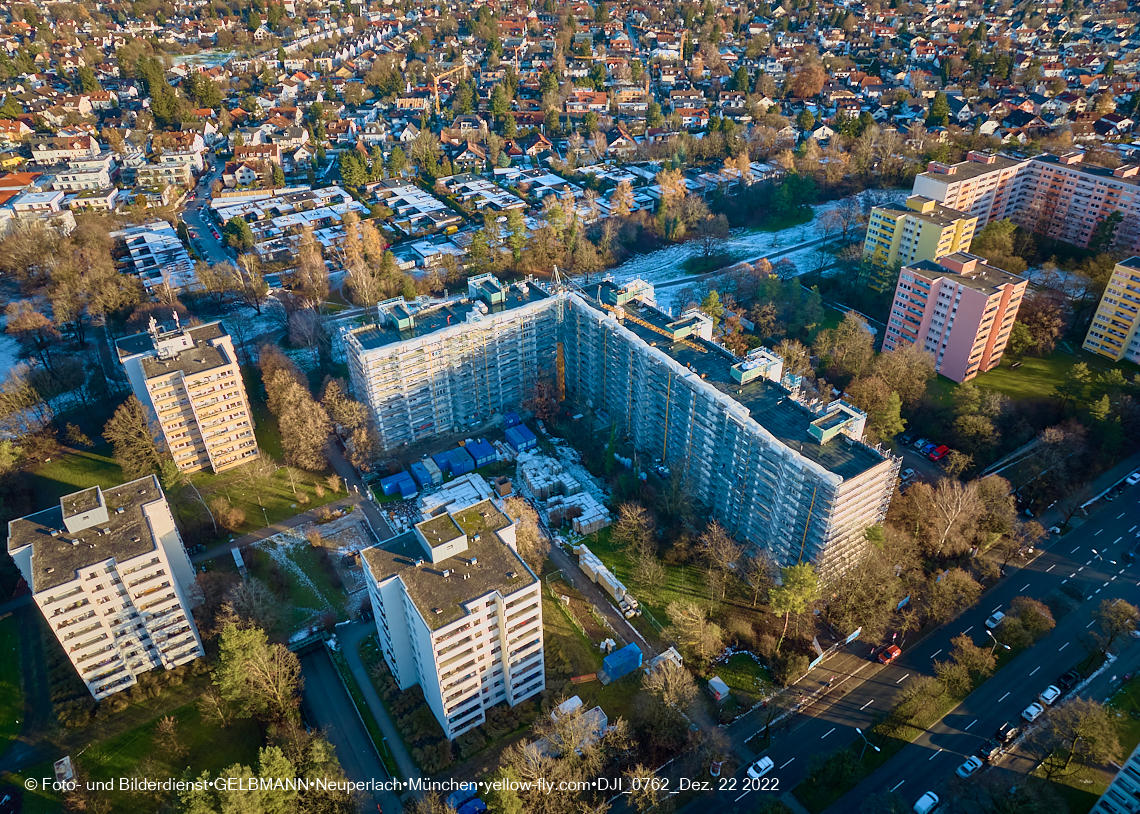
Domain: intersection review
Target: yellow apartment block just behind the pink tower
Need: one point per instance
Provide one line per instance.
(921, 231)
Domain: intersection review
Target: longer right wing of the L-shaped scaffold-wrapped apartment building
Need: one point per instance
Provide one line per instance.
(787, 474)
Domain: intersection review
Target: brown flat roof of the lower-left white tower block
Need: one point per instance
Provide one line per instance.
(56, 558)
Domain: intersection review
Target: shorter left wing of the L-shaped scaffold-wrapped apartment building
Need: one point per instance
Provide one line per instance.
(436, 368)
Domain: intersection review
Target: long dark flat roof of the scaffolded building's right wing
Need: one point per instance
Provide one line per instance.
(769, 404)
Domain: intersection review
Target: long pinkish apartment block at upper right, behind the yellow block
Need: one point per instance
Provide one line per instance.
(1055, 196)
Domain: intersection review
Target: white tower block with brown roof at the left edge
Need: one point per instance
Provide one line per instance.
(109, 572)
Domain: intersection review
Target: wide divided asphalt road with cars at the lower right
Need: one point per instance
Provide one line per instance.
(830, 725)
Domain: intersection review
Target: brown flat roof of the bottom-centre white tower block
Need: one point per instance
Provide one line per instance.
(442, 600)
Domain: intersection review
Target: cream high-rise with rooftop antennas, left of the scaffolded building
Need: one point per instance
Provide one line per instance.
(191, 382)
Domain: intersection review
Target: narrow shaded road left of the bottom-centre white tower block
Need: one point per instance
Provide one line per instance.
(329, 707)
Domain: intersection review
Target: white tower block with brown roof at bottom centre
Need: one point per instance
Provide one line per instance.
(460, 614)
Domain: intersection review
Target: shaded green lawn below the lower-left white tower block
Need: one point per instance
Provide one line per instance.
(137, 753)
